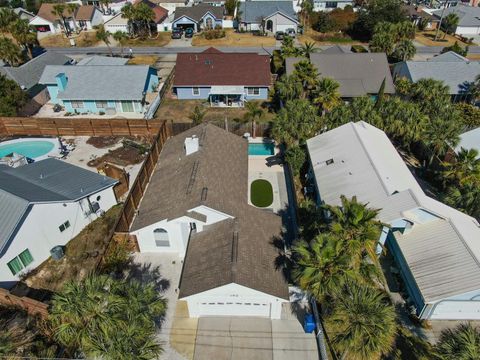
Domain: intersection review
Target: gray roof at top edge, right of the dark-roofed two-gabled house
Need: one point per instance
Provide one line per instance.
(253, 11)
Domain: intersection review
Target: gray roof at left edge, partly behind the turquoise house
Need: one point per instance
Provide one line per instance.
(28, 74)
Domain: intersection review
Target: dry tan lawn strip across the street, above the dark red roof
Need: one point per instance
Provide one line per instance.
(234, 39)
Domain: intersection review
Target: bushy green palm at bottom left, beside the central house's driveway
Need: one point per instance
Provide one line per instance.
(106, 318)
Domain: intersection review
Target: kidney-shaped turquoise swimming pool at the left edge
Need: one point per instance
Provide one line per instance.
(32, 148)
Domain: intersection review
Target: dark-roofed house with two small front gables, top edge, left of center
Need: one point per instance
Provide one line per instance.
(198, 17)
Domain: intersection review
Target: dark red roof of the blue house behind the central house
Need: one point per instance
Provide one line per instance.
(213, 67)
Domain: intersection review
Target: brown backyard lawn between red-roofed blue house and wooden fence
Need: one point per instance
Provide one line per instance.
(179, 110)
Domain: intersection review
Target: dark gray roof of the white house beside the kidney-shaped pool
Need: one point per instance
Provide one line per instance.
(44, 181)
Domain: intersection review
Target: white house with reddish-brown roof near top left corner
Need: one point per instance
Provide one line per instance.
(84, 18)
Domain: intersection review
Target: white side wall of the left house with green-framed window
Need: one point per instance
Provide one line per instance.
(40, 232)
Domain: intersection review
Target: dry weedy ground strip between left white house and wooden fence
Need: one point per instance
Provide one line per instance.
(82, 254)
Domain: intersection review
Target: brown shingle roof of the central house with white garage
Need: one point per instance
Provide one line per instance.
(231, 251)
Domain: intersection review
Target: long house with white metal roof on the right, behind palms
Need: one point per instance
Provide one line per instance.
(435, 247)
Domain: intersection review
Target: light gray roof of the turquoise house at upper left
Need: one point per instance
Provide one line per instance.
(87, 82)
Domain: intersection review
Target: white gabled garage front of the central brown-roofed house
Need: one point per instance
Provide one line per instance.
(233, 293)
